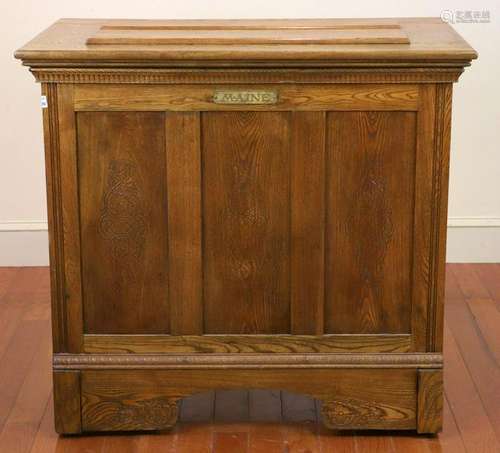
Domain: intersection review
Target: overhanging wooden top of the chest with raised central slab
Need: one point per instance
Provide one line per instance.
(271, 42)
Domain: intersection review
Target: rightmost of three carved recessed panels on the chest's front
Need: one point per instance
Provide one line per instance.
(370, 205)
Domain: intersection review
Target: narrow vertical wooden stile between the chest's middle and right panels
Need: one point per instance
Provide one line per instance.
(307, 155)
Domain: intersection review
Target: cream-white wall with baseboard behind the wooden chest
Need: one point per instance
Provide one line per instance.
(474, 224)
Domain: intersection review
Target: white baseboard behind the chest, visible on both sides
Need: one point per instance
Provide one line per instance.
(470, 240)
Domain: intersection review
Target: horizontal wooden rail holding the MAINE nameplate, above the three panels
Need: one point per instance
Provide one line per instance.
(94, 97)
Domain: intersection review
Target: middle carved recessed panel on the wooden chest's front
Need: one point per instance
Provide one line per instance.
(246, 222)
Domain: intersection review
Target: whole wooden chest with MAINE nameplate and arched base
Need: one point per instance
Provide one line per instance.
(247, 204)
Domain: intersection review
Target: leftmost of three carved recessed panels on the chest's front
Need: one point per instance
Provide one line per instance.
(123, 210)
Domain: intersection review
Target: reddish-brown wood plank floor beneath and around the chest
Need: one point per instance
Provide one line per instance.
(256, 421)
